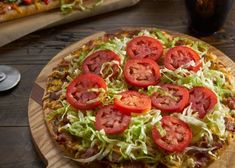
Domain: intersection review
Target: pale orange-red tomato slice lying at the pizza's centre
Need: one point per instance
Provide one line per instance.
(133, 102)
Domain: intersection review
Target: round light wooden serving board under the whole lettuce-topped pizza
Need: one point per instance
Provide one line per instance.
(44, 144)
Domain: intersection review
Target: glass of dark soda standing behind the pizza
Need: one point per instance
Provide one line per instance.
(207, 16)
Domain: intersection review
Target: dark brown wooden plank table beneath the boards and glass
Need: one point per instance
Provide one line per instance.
(30, 53)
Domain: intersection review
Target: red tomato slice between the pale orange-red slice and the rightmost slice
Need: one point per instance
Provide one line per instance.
(171, 98)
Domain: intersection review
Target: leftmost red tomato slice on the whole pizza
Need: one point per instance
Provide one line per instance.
(78, 94)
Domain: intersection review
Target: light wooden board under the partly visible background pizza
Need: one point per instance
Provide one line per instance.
(12, 30)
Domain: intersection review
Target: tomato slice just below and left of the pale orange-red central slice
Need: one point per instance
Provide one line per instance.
(111, 120)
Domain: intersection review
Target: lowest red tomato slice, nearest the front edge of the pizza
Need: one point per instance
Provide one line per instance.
(178, 134)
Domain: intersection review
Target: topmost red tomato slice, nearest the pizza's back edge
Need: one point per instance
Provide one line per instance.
(144, 47)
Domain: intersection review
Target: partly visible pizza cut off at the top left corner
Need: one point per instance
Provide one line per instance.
(13, 9)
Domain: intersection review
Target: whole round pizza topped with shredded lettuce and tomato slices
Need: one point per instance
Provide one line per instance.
(141, 98)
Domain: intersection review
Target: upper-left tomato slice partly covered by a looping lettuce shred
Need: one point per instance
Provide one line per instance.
(94, 62)
